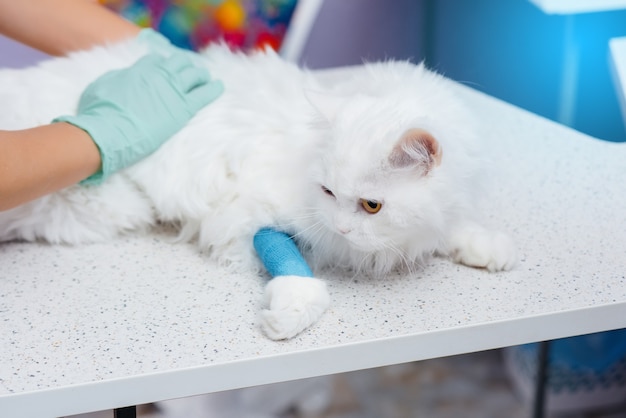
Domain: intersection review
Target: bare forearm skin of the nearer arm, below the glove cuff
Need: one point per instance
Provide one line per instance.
(38, 161)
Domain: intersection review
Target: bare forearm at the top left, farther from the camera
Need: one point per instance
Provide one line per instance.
(57, 27)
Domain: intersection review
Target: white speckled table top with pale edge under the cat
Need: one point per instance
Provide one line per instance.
(142, 319)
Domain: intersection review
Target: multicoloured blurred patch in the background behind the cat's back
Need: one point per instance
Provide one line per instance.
(192, 24)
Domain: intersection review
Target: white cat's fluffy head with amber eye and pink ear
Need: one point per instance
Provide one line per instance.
(385, 179)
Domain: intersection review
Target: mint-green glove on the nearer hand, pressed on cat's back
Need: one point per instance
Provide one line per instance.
(129, 113)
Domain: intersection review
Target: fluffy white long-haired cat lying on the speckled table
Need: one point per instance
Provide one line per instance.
(372, 175)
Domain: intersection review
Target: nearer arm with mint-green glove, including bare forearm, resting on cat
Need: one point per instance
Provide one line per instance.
(117, 124)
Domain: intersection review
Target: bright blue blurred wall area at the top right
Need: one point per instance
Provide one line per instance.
(554, 65)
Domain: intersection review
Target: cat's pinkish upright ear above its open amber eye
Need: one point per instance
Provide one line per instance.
(417, 148)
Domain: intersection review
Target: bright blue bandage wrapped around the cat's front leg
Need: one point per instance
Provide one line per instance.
(279, 254)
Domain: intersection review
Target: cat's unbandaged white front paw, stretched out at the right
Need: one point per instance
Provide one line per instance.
(479, 247)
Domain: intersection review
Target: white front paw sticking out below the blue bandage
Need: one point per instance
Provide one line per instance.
(292, 304)
